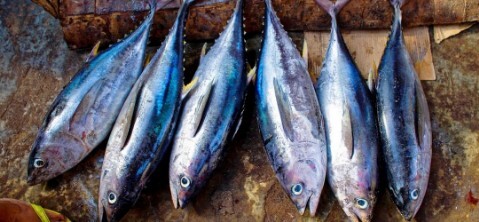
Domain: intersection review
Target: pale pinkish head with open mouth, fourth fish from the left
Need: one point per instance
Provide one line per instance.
(303, 184)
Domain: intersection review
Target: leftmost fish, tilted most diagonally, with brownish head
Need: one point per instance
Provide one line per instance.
(83, 114)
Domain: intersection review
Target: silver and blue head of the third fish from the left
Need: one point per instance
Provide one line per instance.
(189, 171)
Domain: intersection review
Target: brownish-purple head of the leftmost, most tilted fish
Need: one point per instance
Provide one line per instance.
(52, 156)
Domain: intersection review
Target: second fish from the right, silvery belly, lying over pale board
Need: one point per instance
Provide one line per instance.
(349, 113)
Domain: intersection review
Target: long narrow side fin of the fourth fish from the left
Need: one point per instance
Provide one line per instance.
(284, 110)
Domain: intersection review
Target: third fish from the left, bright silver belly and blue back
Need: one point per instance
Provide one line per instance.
(210, 112)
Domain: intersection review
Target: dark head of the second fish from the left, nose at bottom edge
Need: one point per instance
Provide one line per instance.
(114, 199)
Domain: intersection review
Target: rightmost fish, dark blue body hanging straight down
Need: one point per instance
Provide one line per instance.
(404, 122)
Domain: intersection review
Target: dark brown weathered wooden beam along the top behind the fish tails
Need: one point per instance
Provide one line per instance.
(85, 22)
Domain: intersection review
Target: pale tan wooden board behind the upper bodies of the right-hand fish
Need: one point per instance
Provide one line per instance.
(367, 47)
